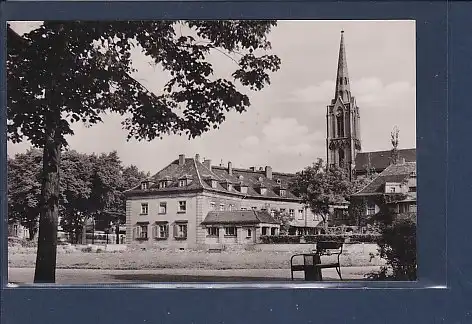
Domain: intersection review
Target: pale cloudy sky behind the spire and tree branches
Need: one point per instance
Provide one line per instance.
(285, 126)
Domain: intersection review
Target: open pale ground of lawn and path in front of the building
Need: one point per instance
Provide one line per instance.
(78, 265)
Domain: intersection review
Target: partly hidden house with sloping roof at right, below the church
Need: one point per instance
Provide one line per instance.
(397, 178)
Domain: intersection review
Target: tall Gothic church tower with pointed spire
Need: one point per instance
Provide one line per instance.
(343, 120)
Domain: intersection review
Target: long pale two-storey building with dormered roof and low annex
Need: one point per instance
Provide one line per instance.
(192, 203)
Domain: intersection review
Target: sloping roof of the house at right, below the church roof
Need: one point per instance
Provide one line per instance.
(393, 173)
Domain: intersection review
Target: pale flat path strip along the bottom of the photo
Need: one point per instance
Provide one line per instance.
(94, 276)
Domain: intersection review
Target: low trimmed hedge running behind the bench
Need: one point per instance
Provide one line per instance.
(295, 239)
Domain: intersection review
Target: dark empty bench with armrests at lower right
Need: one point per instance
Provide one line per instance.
(312, 265)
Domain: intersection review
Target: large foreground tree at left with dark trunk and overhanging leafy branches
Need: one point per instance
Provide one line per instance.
(67, 72)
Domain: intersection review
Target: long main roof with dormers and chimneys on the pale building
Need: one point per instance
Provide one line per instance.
(199, 173)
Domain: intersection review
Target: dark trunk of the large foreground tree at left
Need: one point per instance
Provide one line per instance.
(47, 241)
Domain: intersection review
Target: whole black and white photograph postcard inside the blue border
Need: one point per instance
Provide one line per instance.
(219, 151)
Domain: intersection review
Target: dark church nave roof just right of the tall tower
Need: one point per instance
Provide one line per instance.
(379, 160)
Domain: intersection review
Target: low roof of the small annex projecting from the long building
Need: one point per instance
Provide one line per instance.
(239, 217)
